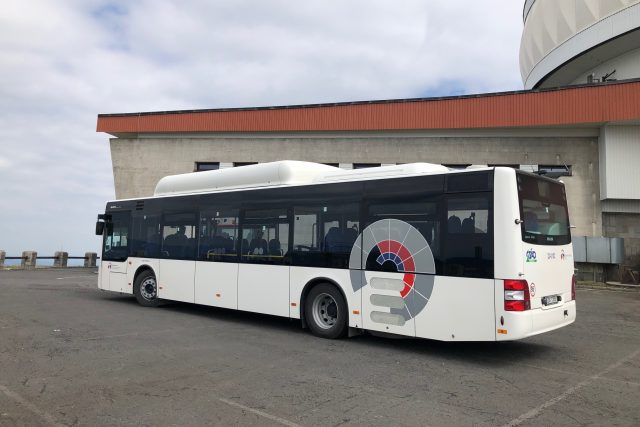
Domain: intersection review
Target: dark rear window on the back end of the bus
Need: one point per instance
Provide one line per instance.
(543, 208)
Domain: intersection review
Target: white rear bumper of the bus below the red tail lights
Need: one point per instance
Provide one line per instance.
(518, 325)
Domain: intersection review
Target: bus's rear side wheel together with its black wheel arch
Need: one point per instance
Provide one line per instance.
(318, 295)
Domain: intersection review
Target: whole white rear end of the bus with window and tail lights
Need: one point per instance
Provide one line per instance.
(535, 282)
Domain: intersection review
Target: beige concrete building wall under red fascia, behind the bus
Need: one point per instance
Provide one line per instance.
(138, 163)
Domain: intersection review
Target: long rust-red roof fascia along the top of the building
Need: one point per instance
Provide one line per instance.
(567, 106)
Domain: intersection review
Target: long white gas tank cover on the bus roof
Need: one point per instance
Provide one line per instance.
(281, 173)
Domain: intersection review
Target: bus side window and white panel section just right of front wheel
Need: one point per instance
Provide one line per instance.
(177, 257)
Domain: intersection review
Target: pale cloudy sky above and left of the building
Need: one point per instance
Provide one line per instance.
(64, 62)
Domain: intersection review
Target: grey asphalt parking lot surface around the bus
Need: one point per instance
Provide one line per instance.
(71, 354)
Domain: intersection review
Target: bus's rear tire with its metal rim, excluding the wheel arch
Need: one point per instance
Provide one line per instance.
(326, 312)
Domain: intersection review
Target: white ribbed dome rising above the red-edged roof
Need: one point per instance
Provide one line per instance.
(567, 42)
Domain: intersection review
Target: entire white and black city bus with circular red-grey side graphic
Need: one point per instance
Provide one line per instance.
(416, 250)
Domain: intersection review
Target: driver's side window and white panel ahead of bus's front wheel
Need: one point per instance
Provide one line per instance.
(115, 252)
